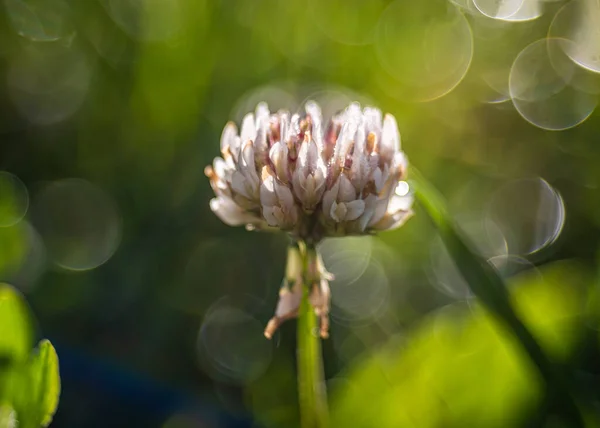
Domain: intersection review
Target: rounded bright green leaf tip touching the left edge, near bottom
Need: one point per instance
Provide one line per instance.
(15, 325)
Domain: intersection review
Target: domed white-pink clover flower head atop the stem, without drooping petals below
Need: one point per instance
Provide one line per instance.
(310, 178)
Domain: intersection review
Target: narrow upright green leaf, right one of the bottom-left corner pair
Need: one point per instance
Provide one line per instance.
(44, 378)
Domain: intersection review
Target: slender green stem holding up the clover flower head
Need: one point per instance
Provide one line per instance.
(311, 385)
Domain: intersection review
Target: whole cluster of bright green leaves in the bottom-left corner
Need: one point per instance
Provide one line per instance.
(29, 381)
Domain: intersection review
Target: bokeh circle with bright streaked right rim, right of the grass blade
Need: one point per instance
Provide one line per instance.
(529, 212)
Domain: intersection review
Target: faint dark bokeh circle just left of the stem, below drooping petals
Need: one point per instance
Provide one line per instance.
(231, 344)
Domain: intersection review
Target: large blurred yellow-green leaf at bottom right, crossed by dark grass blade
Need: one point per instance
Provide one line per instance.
(461, 367)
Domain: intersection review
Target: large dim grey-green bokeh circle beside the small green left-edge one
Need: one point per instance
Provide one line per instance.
(79, 222)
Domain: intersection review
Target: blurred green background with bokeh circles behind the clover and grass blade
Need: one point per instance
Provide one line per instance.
(109, 111)
